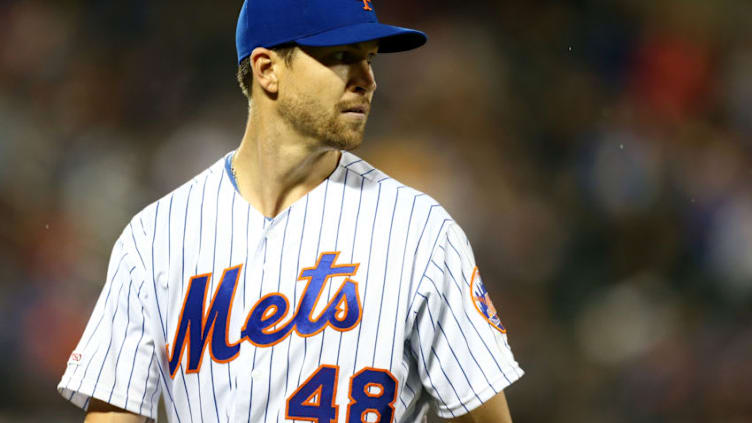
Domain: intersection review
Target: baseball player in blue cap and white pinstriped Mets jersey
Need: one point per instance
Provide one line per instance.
(291, 280)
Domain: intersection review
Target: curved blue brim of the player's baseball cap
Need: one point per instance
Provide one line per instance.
(392, 39)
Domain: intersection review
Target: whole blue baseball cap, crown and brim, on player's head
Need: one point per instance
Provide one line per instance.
(317, 23)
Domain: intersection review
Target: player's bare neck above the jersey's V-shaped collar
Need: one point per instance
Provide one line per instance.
(275, 167)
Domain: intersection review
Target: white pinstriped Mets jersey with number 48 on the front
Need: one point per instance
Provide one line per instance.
(361, 300)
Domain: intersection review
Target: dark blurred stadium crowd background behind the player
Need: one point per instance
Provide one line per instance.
(596, 152)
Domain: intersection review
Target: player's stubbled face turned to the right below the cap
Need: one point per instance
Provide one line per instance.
(326, 93)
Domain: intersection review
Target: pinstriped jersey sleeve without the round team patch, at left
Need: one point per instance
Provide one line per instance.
(116, 361)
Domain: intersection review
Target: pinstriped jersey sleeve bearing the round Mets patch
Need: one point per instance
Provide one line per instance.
(457, 338)
